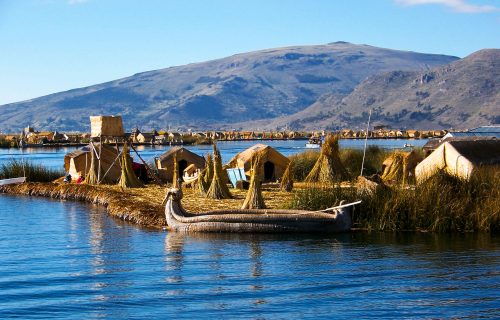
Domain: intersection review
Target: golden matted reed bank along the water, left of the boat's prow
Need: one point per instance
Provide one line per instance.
(121, 205)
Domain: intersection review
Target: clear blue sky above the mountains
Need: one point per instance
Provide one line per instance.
(49, 46)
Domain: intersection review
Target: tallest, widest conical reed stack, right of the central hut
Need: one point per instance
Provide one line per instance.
(328, 168)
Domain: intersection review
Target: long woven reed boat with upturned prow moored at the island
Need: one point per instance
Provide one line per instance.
(336, 219)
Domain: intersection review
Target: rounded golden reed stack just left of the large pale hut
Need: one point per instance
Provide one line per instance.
(400, 167)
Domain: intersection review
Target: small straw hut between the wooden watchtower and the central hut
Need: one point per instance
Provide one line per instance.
(184, 157)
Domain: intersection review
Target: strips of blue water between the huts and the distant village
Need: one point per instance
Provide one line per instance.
(54, 157)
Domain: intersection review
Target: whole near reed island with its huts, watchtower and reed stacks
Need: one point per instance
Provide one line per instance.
(452, 186)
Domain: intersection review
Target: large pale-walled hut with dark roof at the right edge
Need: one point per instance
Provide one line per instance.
(459, 158)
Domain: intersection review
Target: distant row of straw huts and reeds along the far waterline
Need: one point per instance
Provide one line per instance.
(30, 137)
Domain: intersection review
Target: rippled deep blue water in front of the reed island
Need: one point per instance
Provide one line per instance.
(70, 260)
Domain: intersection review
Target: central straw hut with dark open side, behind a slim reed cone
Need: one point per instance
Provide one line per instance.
(273, 163)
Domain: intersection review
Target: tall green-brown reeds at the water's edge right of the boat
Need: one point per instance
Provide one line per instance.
(443, 203)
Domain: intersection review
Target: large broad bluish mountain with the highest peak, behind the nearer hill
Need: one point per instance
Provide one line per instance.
(263, 84)
